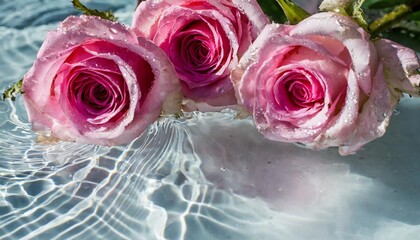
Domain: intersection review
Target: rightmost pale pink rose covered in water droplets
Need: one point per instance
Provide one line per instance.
(323, 82)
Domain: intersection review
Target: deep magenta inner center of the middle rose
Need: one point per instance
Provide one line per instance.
(199, 51)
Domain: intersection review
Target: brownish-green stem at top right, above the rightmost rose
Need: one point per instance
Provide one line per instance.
(389, 19)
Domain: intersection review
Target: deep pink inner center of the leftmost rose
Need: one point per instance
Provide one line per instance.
(94, 89)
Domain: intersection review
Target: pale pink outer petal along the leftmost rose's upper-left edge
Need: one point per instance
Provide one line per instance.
(53, 52)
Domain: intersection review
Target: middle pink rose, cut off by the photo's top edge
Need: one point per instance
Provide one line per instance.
(203, 39)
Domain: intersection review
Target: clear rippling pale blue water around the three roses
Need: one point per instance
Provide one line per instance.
(206, 177)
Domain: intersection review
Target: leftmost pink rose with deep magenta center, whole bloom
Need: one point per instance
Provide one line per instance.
(94, 82)
